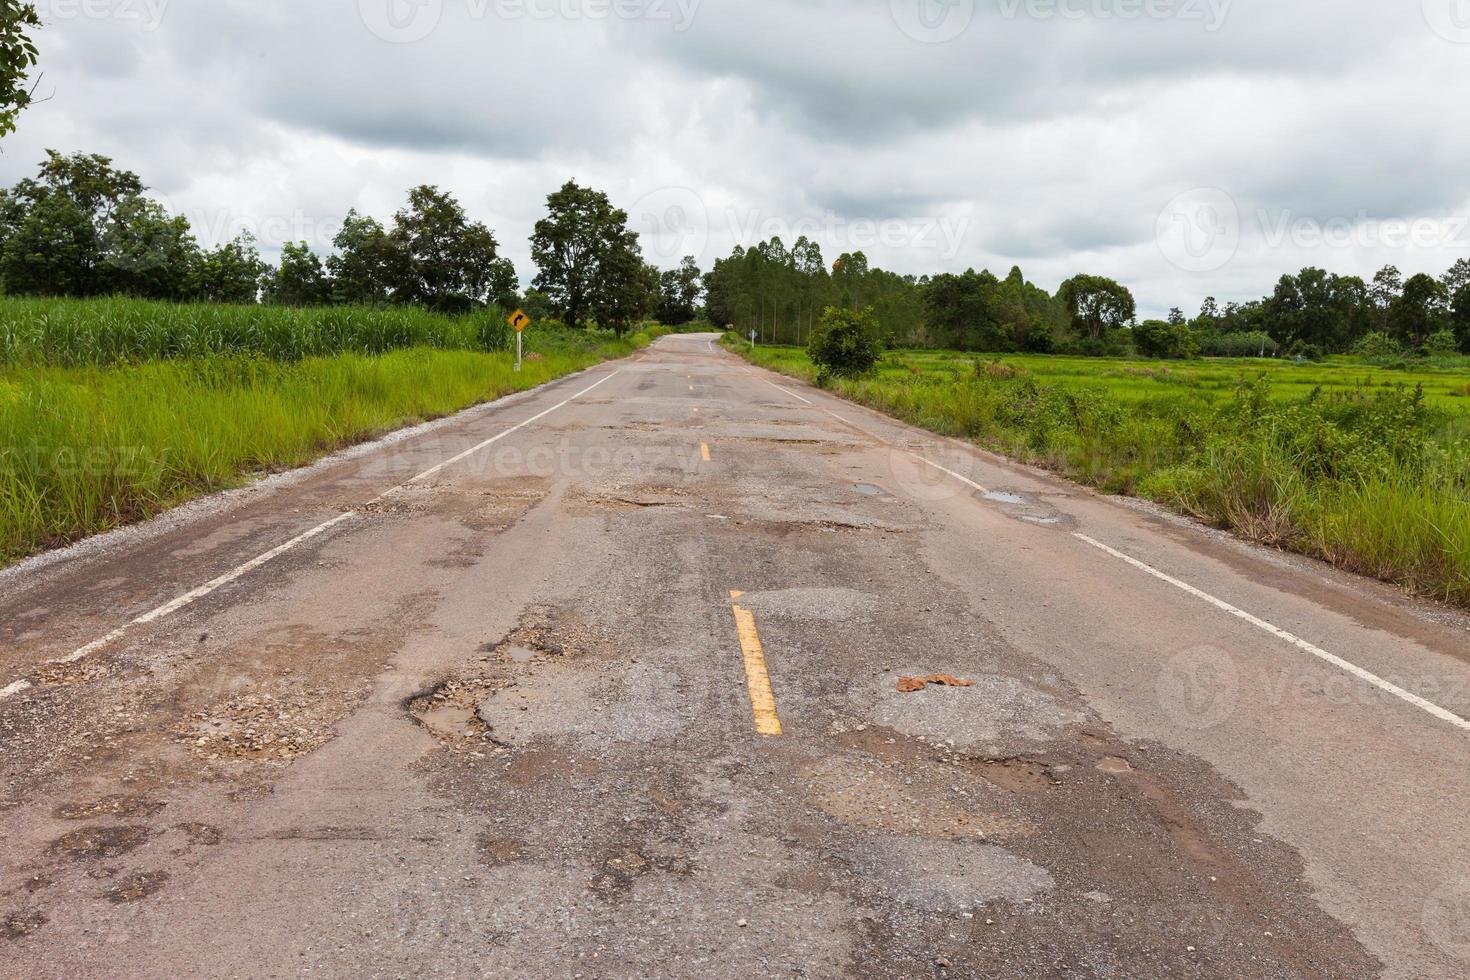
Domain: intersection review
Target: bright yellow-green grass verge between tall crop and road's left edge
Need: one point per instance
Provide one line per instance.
(89, 449)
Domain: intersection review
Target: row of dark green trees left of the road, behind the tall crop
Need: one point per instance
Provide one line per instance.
(86, 228)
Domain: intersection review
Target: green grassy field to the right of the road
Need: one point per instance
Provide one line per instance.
(1363, 466)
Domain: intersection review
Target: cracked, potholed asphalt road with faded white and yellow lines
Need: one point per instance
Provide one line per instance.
(608, 680)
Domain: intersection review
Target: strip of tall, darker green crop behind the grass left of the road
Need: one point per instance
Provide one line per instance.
(74, 333)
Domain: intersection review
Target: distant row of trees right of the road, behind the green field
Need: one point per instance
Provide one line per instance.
(780, 295)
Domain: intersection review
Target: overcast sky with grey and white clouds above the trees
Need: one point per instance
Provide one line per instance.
(1186, 148)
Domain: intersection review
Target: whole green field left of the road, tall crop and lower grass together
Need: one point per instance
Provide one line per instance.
(89, 442)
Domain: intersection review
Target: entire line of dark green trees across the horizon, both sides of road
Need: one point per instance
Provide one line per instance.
(85, 228)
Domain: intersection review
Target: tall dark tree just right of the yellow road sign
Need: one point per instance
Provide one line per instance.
(571, 245)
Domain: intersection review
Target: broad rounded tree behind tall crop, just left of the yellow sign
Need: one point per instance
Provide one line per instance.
(442, 259)
